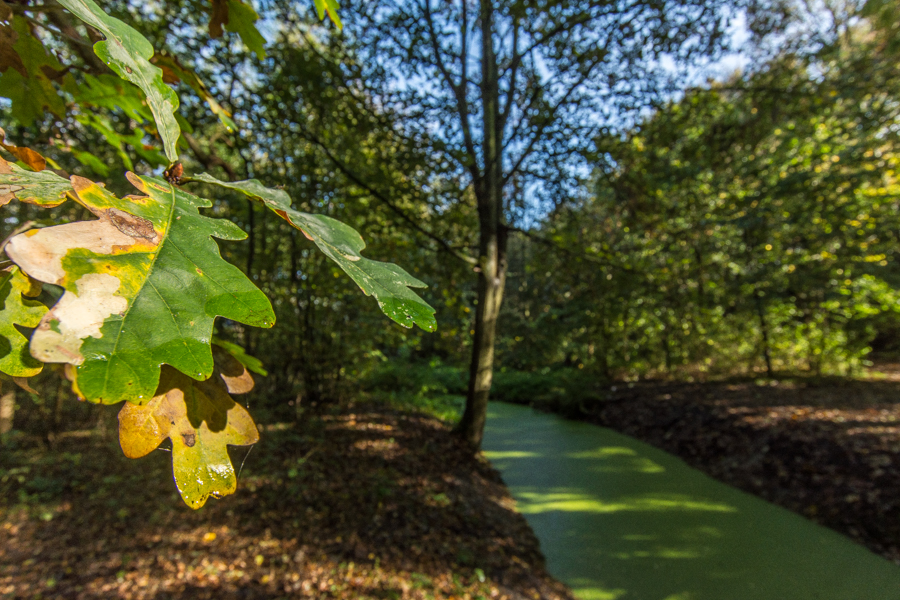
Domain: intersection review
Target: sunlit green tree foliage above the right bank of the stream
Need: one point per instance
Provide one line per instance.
(748, 226)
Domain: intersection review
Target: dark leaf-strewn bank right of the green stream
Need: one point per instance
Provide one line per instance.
(826, 448)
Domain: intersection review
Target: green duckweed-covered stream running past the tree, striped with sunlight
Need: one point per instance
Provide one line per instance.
(621, 520)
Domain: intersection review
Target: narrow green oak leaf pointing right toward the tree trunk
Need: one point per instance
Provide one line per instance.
(341, 243)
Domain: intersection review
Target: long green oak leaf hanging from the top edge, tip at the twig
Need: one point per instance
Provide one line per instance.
(127, 52)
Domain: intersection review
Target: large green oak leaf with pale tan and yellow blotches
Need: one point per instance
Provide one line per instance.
(143, 286)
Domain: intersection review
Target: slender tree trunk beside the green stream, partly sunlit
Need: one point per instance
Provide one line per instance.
(492, 260)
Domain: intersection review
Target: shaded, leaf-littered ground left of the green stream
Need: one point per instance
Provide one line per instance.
(371, 503)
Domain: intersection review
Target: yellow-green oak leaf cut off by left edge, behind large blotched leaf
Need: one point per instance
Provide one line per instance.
(18, 307)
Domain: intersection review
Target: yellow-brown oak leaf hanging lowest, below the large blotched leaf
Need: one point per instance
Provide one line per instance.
(201, 419)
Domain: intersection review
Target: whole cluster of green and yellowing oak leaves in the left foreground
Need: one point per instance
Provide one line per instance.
(134, 294)
